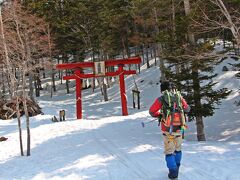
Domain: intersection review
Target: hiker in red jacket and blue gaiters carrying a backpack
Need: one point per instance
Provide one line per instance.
(170, 108)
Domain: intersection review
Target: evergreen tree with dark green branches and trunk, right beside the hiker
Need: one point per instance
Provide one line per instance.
(195, 76)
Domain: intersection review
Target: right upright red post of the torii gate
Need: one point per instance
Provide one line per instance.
(122, 91)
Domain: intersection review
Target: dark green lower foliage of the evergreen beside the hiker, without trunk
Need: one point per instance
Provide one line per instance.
(198, 86)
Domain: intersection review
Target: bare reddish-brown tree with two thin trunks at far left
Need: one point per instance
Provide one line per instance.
(24, 45)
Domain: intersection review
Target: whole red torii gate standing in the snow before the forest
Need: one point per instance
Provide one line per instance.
(78, 75)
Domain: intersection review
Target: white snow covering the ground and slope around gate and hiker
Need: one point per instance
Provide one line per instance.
(108, 146)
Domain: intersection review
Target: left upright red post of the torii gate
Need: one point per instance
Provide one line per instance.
(78, 95)
